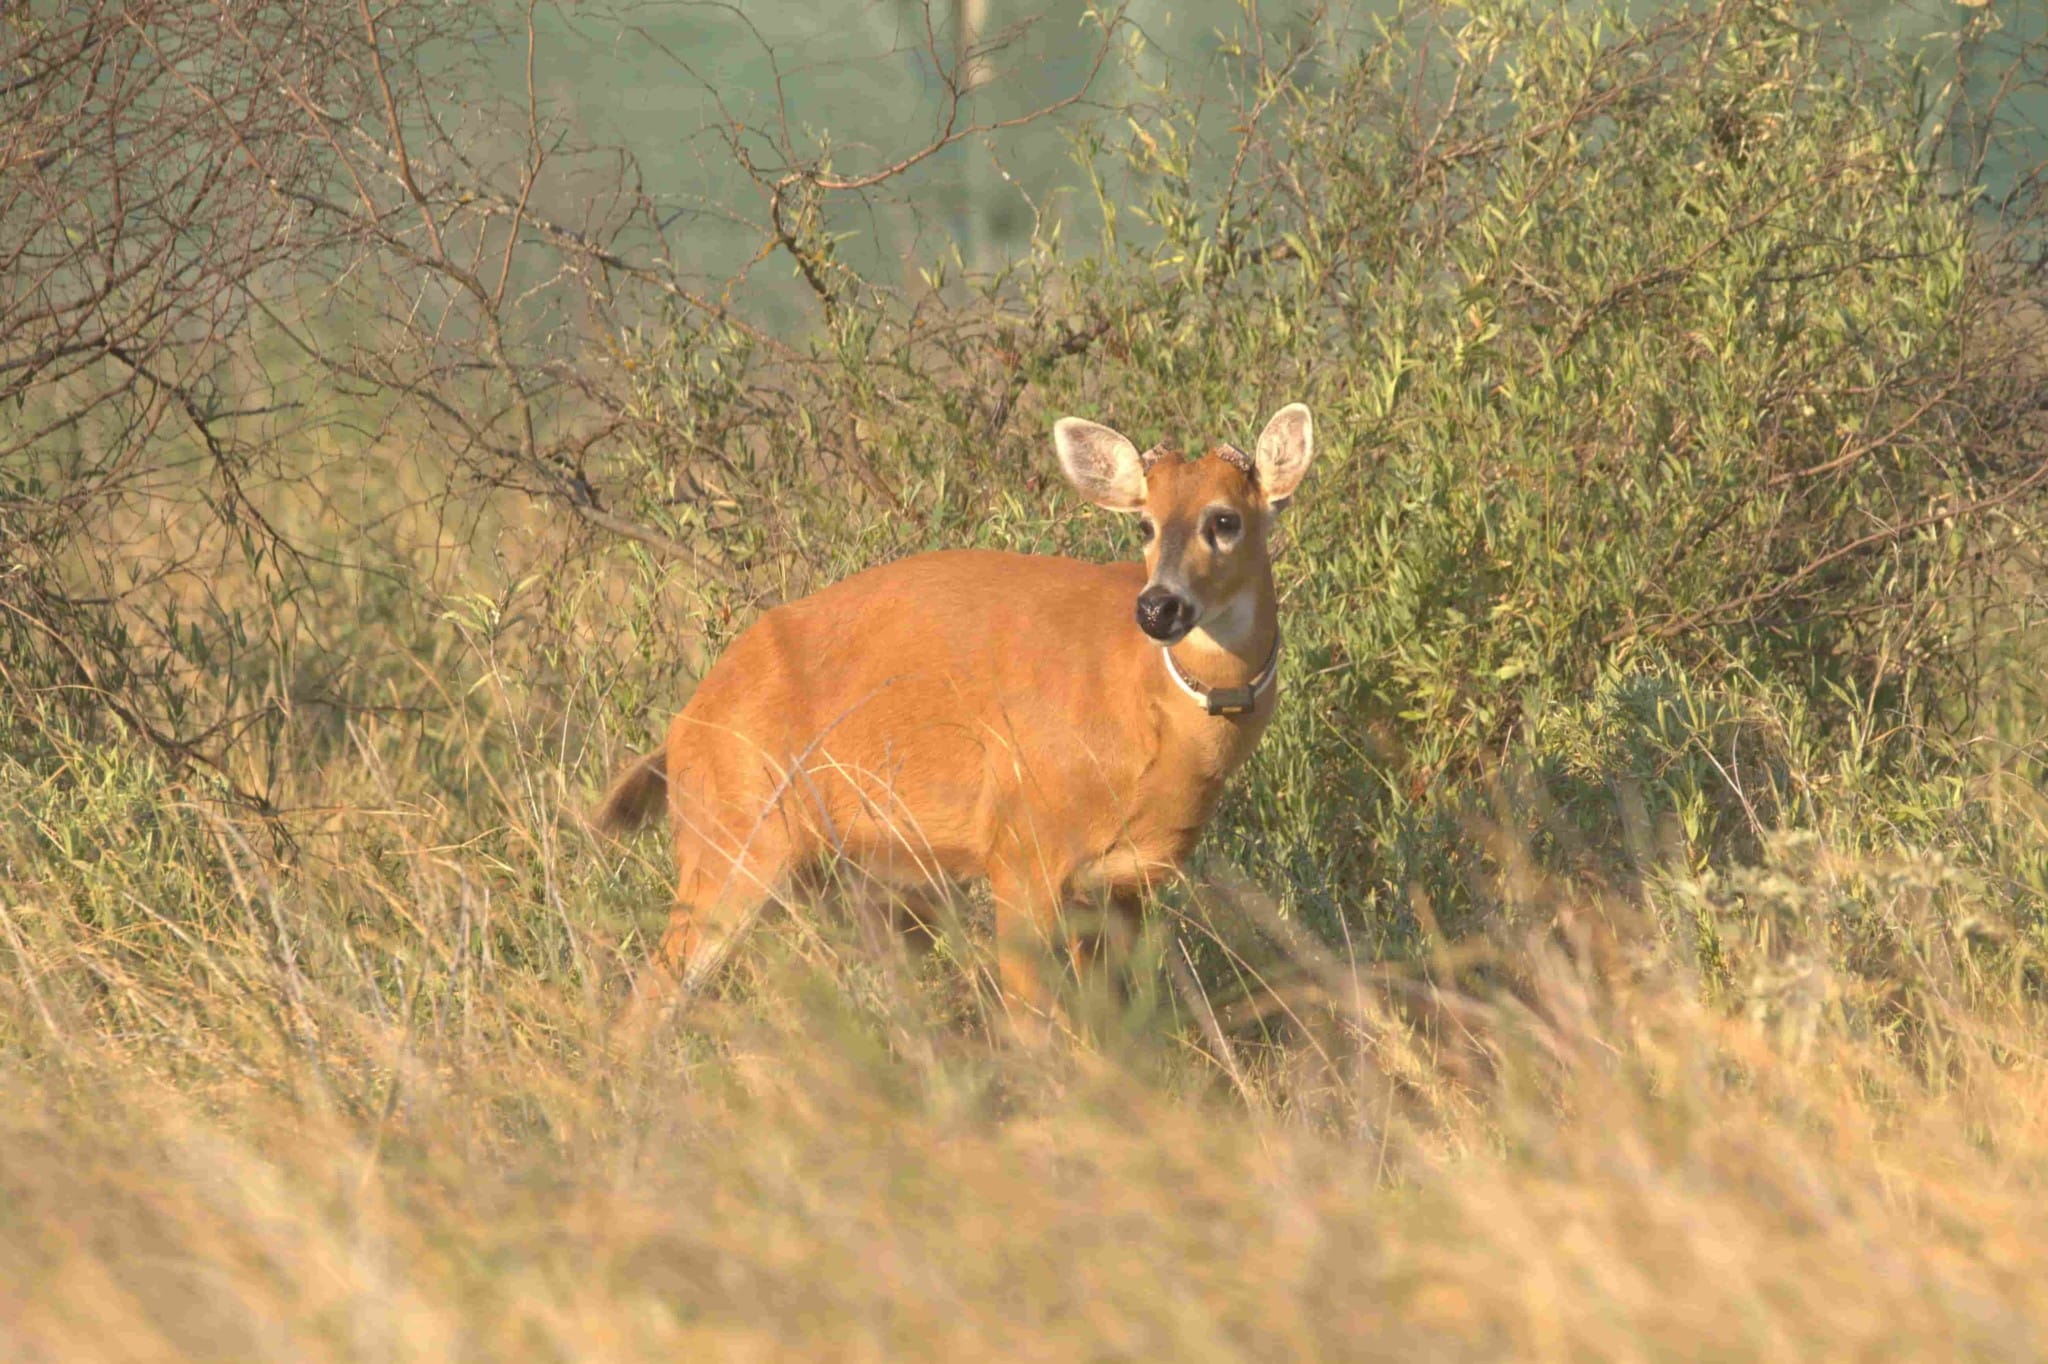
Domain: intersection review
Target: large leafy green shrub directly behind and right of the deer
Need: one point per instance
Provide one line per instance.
(1662, 396)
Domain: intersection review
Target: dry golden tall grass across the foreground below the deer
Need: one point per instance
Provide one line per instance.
(361, 1099)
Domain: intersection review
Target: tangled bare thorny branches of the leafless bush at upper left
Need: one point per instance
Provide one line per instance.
(241, 239)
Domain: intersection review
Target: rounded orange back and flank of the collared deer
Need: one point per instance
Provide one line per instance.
(941, 704)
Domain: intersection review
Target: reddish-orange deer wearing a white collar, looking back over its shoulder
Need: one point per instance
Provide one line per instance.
(1054, 726)
